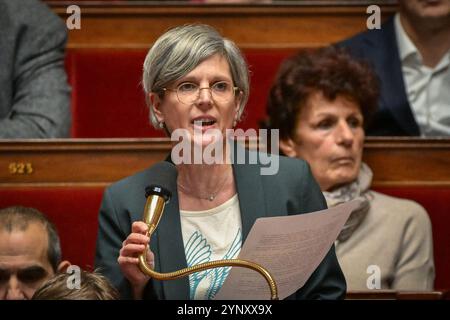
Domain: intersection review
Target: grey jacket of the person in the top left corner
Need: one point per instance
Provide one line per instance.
(34, 94)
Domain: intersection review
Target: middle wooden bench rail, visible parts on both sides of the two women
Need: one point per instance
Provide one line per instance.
(395, 161)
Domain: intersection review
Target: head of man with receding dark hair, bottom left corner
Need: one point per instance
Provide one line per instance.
(30, 252)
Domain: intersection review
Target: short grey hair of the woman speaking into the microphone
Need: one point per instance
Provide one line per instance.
(180, 50)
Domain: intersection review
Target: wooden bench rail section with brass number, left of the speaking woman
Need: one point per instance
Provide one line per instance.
(77, 161)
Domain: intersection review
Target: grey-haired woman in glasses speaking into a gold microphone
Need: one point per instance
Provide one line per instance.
(198, 82)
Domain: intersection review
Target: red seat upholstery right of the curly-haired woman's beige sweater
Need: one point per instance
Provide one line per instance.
(436, 202)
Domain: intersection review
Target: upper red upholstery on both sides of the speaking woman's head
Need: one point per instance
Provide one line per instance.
(108, 99)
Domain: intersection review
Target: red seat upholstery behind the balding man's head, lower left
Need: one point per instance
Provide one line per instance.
(74, 211)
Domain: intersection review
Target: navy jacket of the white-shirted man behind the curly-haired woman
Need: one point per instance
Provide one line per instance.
(394, 116)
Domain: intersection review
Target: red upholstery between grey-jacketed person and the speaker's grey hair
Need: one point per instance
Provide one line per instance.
(108, 100)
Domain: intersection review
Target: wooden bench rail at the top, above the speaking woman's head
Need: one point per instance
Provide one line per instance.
(138, 25)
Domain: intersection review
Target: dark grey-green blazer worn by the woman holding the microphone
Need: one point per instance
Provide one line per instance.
(292, 190)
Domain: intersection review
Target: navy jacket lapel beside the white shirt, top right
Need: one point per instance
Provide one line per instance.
(383, 50)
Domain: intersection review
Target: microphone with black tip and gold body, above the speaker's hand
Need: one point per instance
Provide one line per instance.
(159, 193)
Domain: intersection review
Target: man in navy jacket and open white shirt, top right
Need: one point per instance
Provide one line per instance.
(411, 55)
